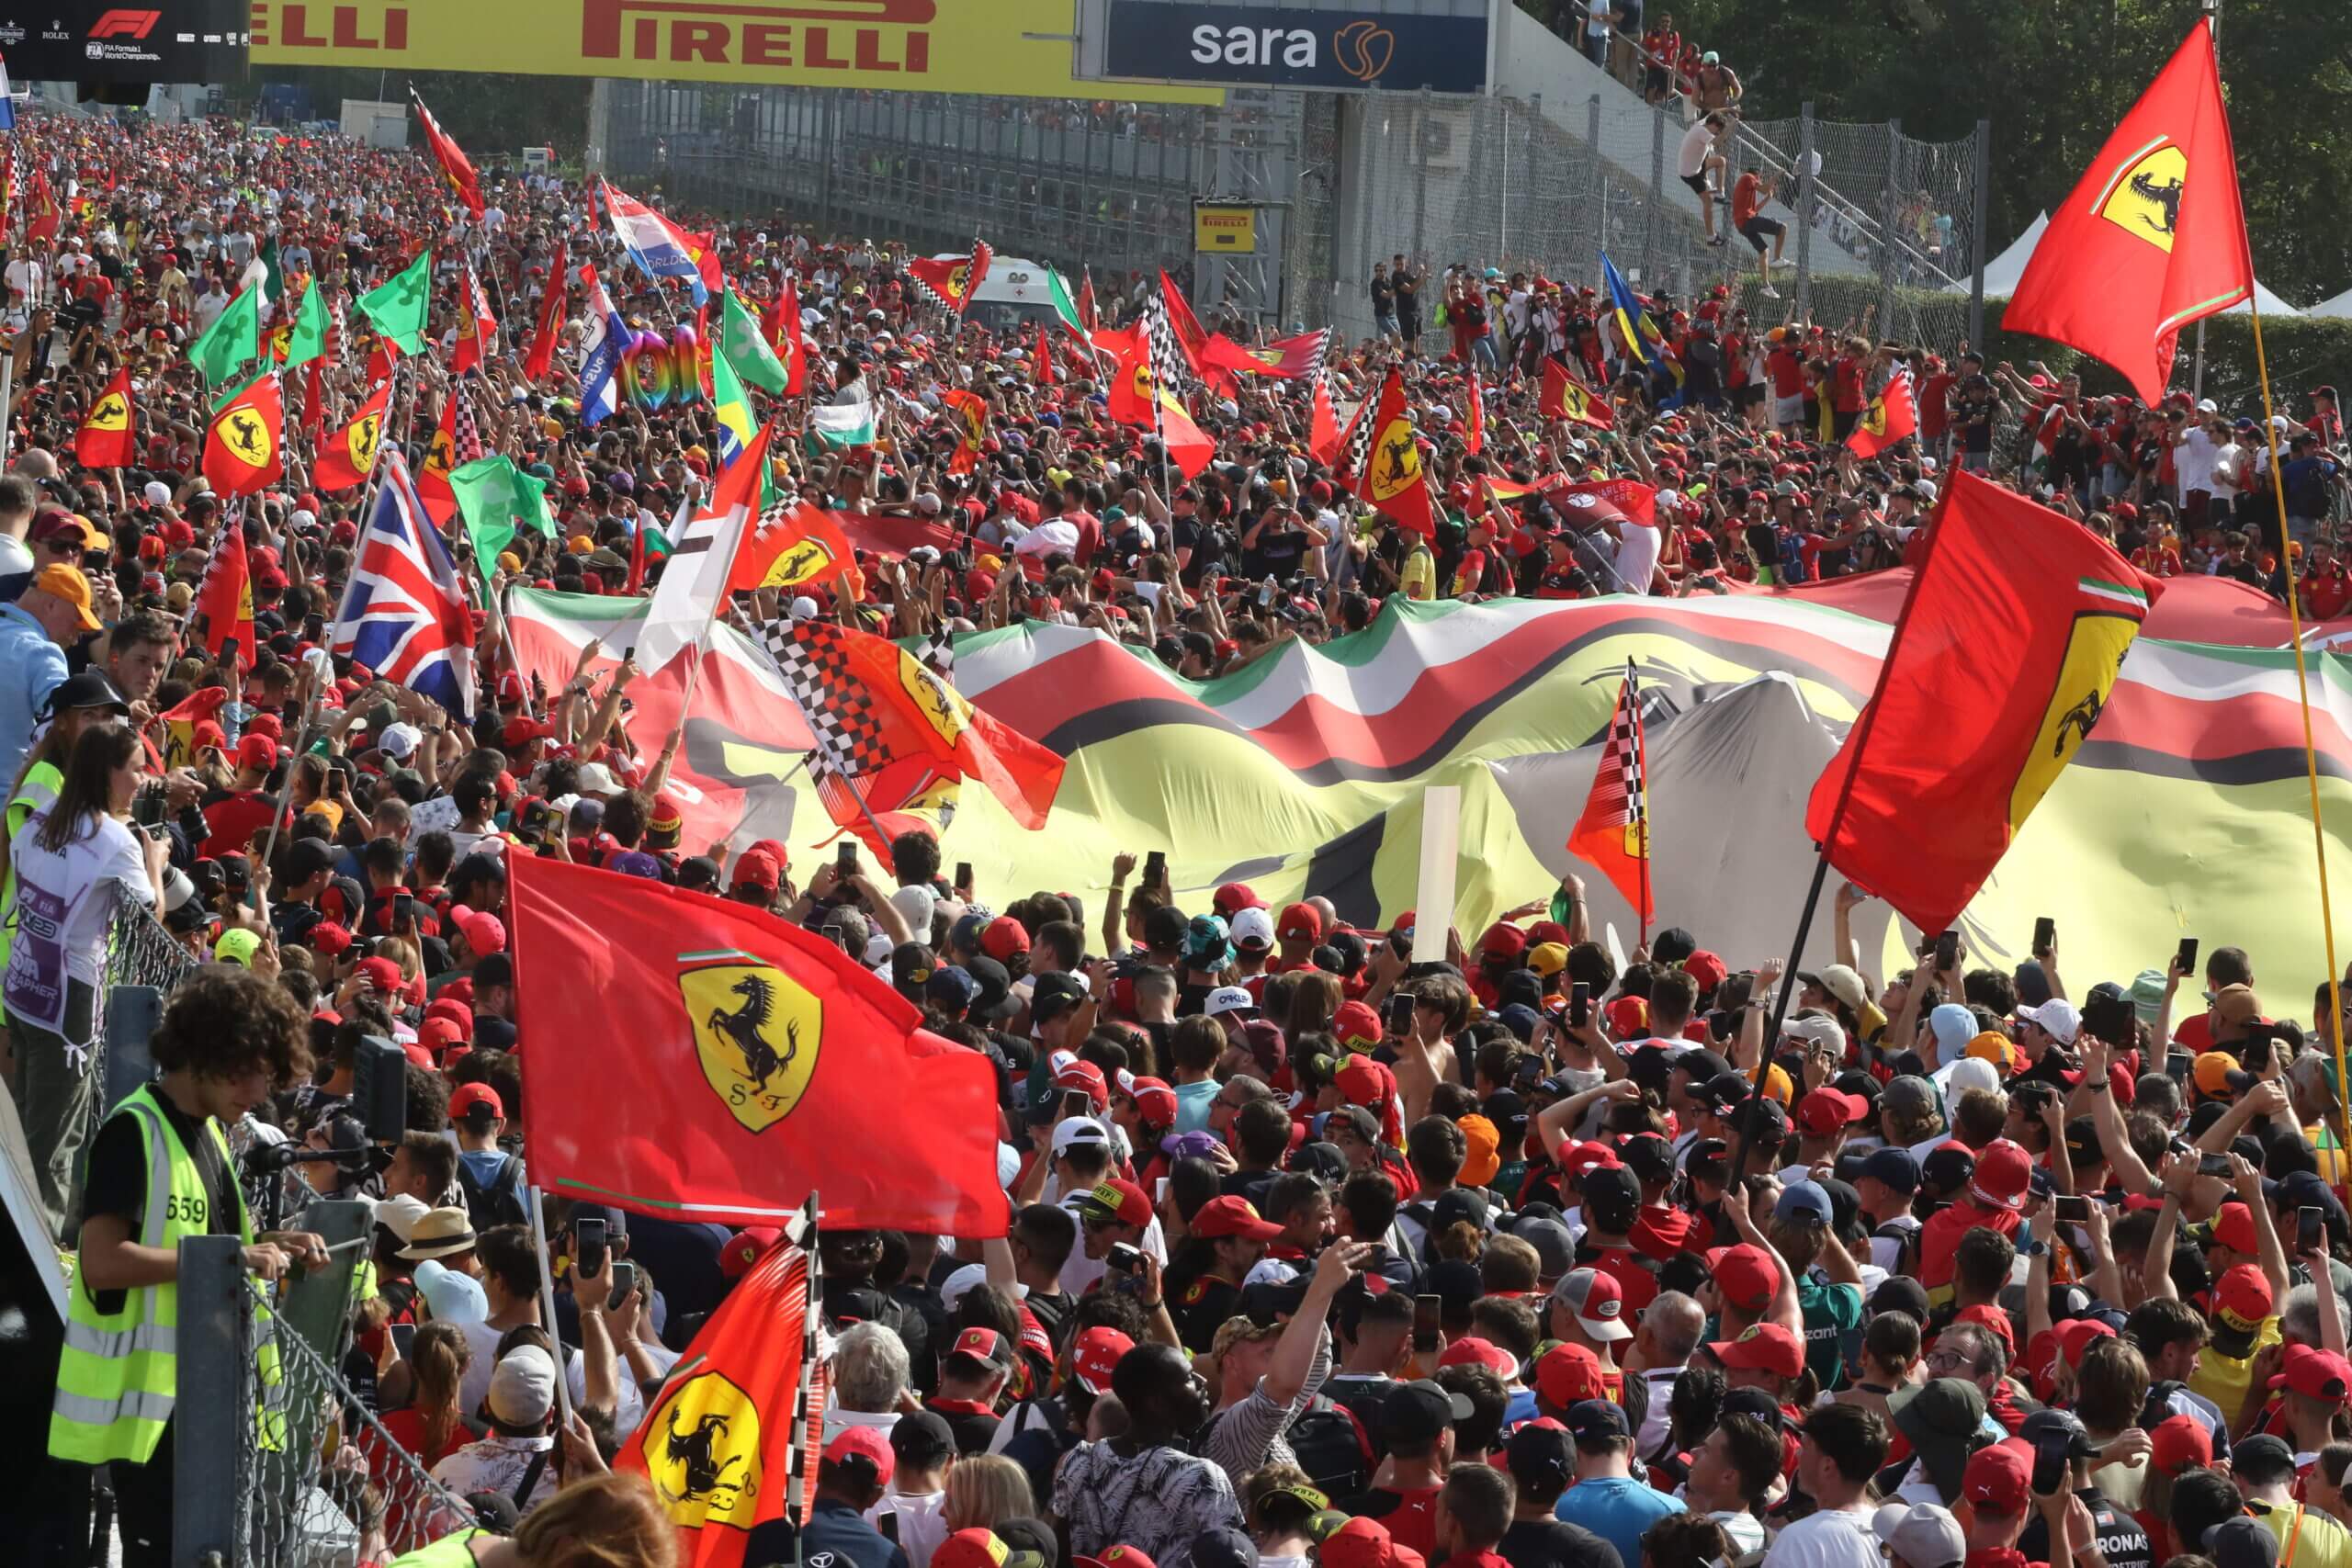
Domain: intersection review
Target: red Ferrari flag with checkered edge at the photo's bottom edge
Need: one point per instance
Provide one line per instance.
(728, 1407)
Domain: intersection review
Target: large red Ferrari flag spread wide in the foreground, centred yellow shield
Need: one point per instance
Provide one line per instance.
(733, 1064)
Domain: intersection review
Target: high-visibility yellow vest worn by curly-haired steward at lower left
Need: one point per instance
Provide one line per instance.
(119, 1376)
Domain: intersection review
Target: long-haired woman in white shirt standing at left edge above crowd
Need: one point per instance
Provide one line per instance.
(74, 866)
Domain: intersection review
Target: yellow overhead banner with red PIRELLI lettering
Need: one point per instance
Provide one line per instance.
(909, 46)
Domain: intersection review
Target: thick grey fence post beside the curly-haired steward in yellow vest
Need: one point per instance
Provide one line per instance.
(213, 1416)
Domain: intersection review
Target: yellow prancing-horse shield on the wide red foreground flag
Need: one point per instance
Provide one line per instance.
(756, 1033)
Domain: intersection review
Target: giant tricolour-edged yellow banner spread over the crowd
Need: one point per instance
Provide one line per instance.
(1304, 772)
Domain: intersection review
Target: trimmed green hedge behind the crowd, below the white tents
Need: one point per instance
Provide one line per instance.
(2304, 351)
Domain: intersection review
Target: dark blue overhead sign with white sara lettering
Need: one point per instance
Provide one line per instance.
(1262, 46)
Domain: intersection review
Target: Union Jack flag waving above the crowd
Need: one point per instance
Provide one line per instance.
(406, 612)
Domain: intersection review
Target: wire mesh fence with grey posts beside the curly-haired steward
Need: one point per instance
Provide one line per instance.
(281, 1461)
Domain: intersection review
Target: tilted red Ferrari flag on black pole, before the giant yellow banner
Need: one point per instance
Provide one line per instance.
(2010, 643)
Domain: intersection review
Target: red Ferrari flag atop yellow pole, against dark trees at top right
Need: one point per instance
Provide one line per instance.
(2151, 239)
